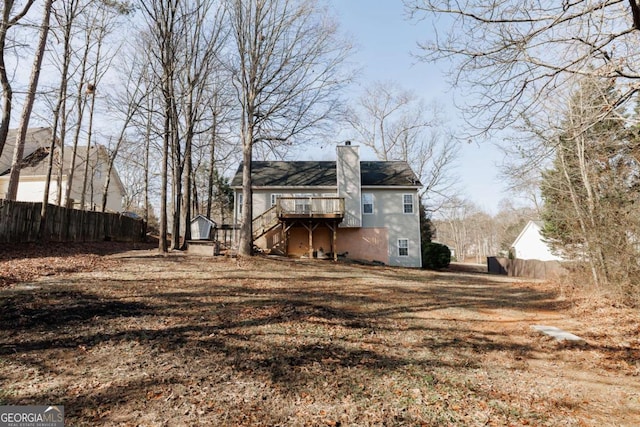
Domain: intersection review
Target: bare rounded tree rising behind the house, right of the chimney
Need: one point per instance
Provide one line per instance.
(397, 125)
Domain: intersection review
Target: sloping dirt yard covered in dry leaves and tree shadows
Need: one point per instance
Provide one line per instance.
(137, 339)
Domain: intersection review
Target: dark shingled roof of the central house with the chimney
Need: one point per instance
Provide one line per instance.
(323, 174)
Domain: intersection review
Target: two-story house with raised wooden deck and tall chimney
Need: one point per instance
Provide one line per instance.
(367, 210)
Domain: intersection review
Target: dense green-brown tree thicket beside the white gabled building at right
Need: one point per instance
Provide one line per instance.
(591, 189)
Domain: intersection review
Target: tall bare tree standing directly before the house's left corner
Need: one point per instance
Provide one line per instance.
(286, 72)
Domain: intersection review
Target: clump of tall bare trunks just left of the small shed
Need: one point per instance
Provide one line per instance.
(185, 41)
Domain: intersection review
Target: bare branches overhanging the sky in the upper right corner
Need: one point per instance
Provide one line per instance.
(512, 59)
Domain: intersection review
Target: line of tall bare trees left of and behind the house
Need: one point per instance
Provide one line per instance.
(181, 90)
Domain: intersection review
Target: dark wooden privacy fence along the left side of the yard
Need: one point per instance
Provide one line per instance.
(20, 222)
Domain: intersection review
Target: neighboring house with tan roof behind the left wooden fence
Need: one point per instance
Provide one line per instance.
(34, 169)
